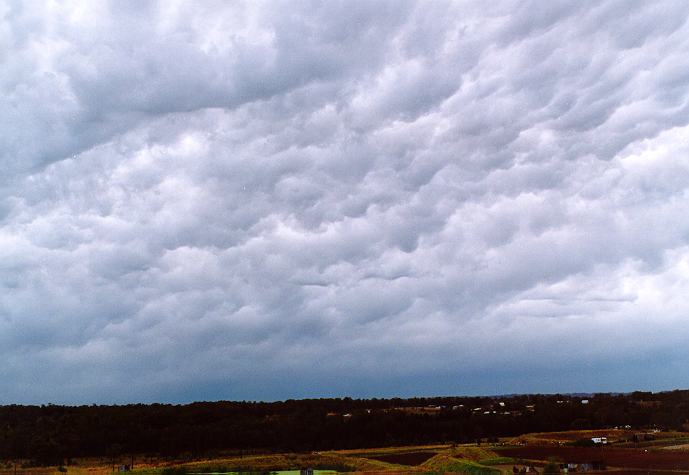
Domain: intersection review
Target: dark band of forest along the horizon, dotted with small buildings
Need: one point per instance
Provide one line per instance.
(54, 434)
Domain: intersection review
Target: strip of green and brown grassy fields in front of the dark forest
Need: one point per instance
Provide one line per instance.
(669, 451)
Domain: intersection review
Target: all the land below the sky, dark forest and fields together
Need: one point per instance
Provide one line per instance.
(477, 435)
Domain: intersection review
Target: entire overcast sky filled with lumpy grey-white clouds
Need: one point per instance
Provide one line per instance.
(288, 199)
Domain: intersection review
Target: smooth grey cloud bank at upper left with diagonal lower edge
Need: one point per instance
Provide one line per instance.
(80, 77)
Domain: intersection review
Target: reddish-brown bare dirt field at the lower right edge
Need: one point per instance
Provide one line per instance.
(623, 458)
